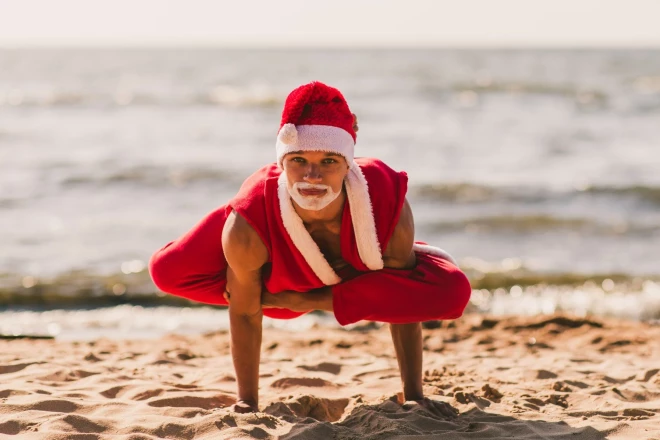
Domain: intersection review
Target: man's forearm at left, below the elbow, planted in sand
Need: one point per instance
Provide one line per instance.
(246, 334)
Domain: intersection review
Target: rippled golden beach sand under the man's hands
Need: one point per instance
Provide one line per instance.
(551, 377)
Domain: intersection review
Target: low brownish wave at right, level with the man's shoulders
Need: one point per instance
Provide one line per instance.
(475, 193)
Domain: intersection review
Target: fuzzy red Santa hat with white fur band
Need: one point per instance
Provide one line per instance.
(316, 117)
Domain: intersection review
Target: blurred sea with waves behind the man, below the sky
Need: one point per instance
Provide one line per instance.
(538, 170)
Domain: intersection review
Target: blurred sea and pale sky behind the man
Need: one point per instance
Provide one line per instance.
(529, 131)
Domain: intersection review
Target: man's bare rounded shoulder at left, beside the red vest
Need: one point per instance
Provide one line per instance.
(243, 248)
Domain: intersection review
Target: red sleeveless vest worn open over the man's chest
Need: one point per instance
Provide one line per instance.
(290, 268)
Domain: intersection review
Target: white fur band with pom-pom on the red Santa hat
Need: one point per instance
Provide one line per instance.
(314, 138)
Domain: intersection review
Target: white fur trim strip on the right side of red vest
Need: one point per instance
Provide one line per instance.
(362, 215)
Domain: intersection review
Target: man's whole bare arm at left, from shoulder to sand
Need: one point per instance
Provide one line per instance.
(245, 254)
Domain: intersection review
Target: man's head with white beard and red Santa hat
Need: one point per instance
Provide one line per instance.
(315, 144)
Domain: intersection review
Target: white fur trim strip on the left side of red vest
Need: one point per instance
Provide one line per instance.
(301, 237)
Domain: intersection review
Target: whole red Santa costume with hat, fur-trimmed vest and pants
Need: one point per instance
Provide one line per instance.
(316, 118)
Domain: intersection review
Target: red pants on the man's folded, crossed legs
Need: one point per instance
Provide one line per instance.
(194, 267)
